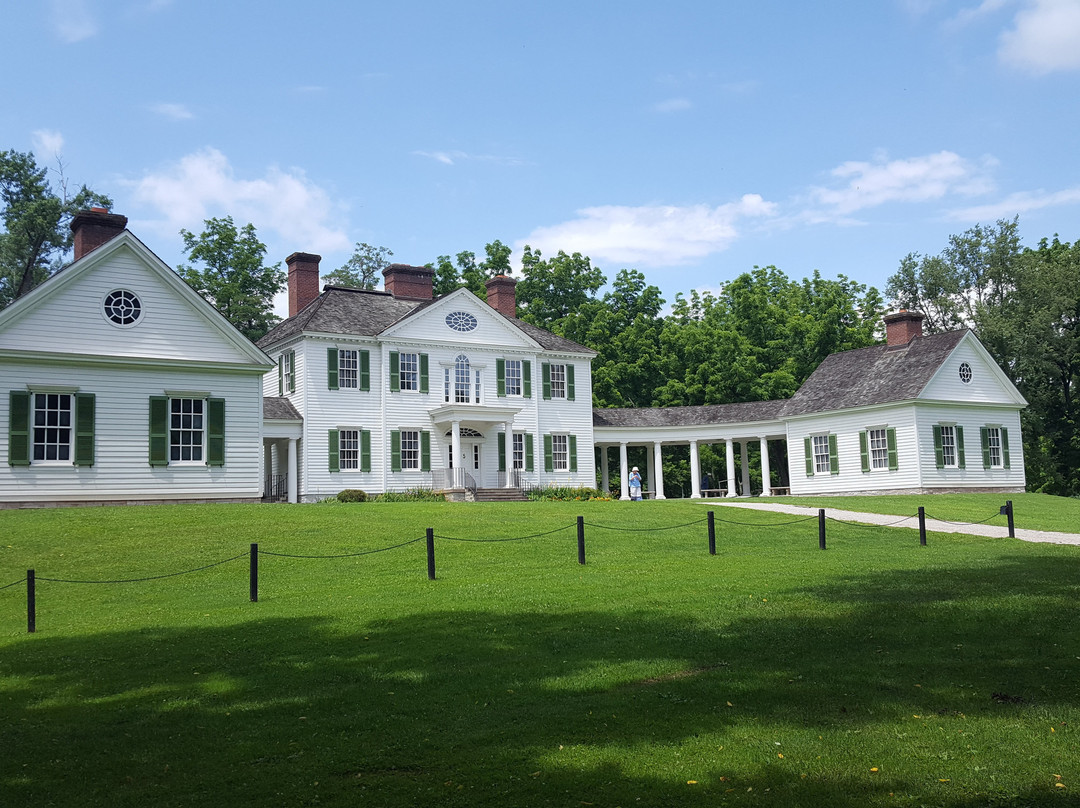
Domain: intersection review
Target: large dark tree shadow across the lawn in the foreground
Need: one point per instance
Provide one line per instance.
(564, 708)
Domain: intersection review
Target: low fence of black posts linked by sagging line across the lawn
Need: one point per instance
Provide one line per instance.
(32, 578)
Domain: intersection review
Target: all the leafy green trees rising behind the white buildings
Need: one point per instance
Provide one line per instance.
(757, 339)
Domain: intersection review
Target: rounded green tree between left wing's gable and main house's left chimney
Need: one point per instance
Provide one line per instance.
(235, 278)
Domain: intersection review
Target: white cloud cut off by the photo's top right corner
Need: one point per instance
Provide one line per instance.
(1046, 37)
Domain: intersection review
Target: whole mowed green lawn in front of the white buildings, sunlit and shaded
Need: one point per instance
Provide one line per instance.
(877, 672)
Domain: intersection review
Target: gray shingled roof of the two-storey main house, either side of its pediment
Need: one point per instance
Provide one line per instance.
(367, 314)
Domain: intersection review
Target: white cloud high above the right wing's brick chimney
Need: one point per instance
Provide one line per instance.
(914, 180)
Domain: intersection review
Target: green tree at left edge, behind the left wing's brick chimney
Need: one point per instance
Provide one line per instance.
(36, 237)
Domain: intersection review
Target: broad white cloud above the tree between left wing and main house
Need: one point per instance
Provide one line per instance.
(204, 185)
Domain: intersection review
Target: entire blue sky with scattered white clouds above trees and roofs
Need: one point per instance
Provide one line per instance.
(691, 141)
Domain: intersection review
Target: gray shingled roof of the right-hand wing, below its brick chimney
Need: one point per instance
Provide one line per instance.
(877, 375)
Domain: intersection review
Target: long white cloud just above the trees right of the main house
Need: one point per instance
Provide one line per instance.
(651, 236)
